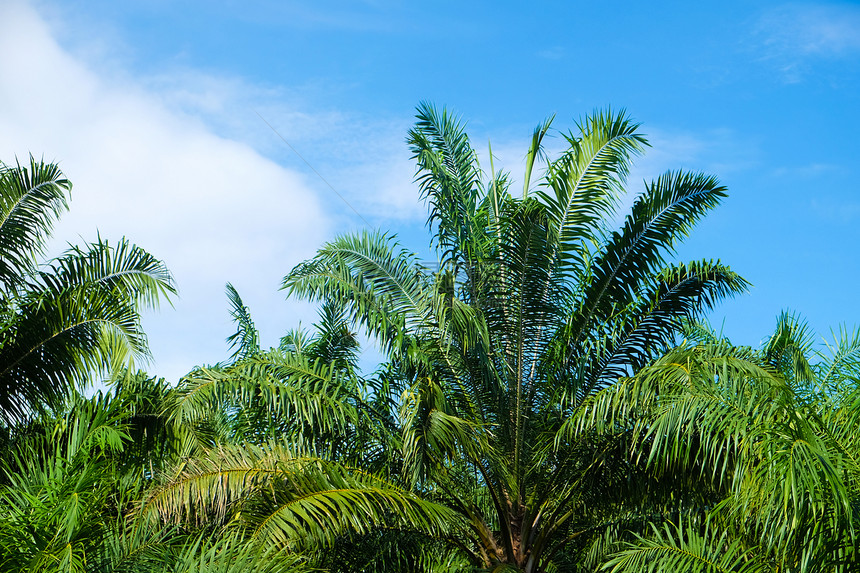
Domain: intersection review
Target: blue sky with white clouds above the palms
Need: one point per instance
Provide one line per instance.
(217, 135)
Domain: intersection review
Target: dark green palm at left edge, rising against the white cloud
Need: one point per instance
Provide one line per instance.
(64, 319)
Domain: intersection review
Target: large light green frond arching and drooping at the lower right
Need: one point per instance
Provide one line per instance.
(723, 415)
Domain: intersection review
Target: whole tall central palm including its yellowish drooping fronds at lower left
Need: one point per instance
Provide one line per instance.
(536, 306)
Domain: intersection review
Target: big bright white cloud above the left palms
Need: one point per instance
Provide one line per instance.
(213, 208)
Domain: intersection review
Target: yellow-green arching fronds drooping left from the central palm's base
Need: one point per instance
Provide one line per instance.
(287, 500)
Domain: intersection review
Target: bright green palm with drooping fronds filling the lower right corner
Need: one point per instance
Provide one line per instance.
(770, 433)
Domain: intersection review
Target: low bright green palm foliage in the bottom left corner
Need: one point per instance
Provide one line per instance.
(70, 484)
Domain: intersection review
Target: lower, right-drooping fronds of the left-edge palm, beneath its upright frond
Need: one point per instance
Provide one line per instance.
(80, 318)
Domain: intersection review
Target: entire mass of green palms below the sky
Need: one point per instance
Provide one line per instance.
(551, 398)
